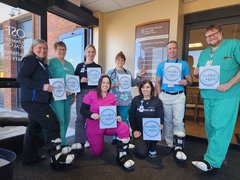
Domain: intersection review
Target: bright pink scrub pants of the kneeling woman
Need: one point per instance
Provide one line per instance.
(95, 135)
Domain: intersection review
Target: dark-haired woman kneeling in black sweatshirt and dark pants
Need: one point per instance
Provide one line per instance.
(145, 105)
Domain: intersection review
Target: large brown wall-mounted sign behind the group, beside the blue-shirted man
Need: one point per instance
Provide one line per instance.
(150, 46)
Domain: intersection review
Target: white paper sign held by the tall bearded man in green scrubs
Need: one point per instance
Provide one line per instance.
(209, 77)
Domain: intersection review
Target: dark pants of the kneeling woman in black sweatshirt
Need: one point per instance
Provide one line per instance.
(142, 147)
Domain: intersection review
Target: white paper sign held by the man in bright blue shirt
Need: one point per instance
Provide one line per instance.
(172, 73)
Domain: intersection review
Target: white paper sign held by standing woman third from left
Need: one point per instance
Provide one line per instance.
(93, 75)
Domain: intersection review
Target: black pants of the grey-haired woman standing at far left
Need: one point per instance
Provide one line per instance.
(41, 117)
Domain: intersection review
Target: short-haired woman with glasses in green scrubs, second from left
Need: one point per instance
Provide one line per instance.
(58, 68)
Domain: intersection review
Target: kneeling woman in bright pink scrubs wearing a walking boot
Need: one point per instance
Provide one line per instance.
(90, 109)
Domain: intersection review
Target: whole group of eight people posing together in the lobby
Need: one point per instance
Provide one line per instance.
(168, 105)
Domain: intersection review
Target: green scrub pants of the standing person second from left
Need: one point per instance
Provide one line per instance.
(62, 109)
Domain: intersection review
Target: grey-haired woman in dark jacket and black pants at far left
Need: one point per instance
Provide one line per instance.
(36, 95)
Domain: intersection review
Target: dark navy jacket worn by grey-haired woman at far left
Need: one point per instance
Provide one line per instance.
(33, 74)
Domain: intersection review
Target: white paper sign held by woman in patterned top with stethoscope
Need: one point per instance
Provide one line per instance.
(125, 82)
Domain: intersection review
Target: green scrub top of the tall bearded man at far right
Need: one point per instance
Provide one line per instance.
(227, 55)
